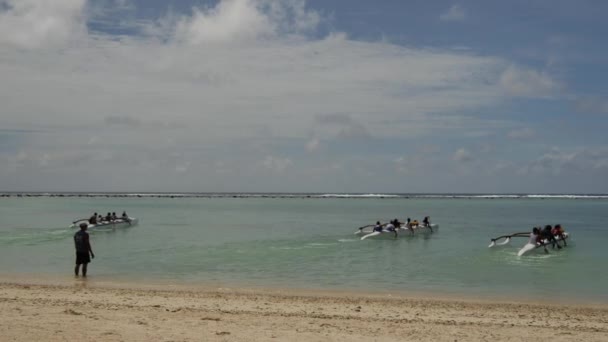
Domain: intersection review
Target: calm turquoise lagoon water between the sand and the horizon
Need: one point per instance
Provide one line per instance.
(309, 243)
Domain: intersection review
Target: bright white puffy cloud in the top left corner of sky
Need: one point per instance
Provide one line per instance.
(39, 23)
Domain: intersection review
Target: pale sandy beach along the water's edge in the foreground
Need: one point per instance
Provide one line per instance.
(89, 311)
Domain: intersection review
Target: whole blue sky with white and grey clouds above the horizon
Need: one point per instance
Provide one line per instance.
(329, 96)
